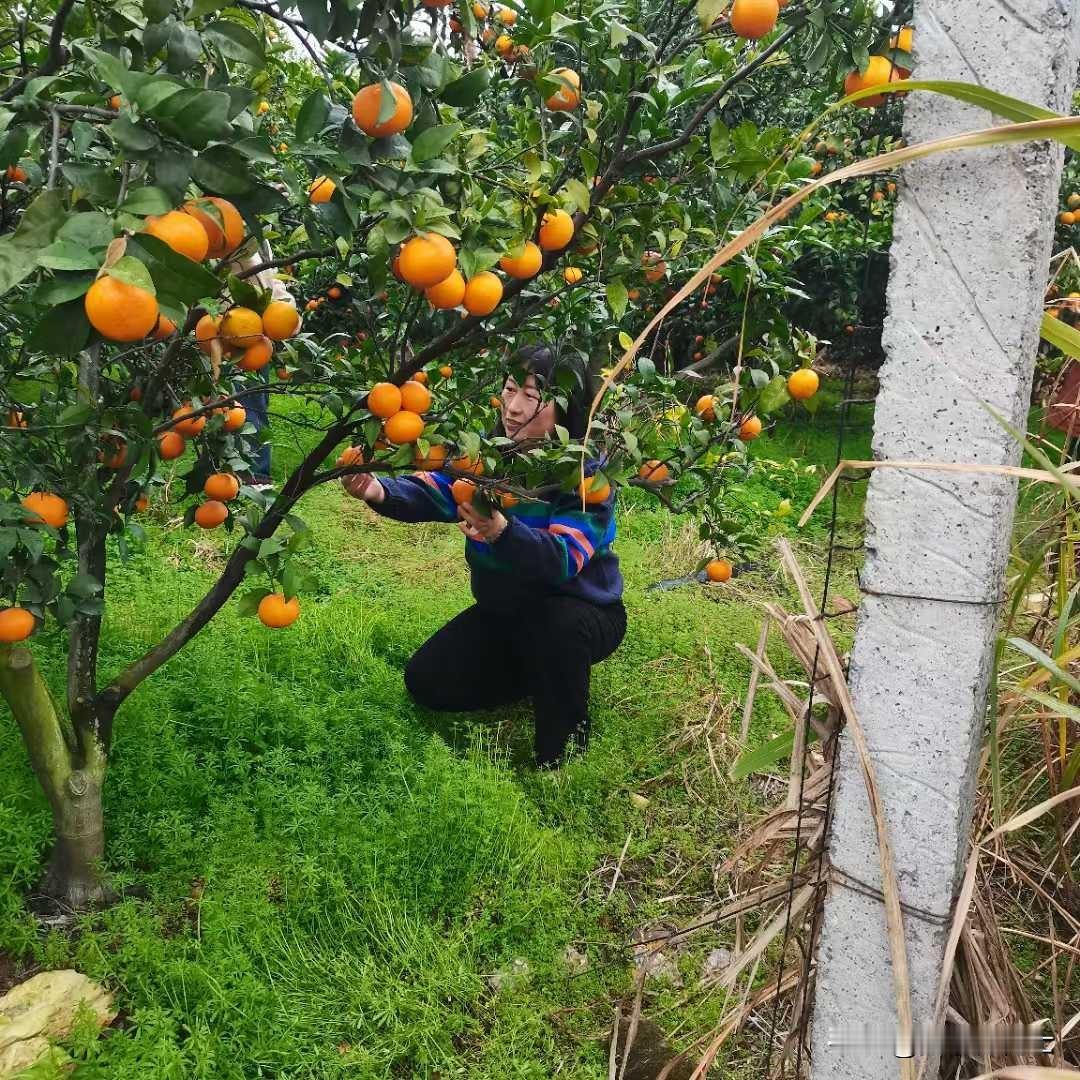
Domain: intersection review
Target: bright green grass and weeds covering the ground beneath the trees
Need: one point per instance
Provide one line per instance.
(325, 875)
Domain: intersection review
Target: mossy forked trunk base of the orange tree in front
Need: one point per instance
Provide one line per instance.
(71, 769)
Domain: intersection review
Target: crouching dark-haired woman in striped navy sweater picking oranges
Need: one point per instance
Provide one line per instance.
(546, 578)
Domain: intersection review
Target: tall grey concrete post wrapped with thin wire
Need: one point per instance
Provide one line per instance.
(970, 254)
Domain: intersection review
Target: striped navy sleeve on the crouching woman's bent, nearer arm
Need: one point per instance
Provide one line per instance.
(561, 550)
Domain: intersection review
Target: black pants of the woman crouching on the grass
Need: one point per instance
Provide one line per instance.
(480, 660)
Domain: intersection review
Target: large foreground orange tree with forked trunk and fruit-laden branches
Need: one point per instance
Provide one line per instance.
(438, 187)
